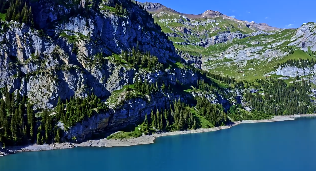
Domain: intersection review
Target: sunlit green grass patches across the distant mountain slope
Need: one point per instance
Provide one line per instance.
(258, 68)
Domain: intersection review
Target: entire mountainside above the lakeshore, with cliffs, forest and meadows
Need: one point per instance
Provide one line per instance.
(75, 70)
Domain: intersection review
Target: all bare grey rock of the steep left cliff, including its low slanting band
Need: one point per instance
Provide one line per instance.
(71, 51)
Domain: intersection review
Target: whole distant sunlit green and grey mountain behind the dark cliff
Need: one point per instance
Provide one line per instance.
(231, 47)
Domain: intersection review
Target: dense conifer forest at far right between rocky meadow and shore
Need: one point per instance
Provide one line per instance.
(275, 97)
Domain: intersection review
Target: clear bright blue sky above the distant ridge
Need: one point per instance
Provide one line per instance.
(277, 13)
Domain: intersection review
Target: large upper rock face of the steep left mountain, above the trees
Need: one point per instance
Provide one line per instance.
(61, 61)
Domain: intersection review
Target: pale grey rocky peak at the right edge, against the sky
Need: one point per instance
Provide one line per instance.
(305, 37)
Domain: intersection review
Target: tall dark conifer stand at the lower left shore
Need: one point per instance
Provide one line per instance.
(19, 124)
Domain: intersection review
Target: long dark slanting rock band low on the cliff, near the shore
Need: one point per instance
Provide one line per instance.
(132, 113)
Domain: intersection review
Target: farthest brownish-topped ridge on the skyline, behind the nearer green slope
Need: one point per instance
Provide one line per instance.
(208, 23)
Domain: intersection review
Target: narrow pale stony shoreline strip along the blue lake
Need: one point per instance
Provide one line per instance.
(145, 139)
